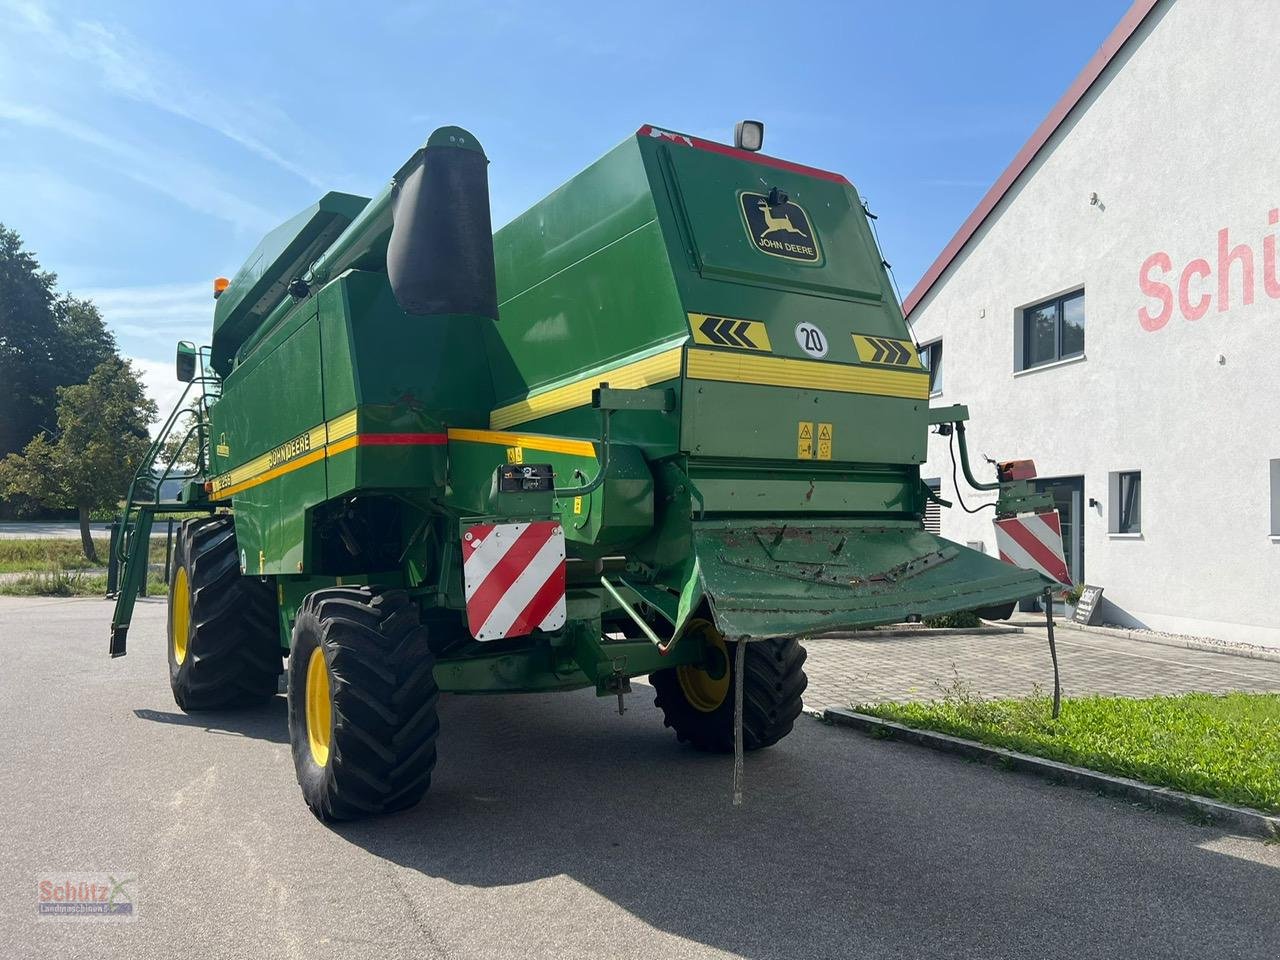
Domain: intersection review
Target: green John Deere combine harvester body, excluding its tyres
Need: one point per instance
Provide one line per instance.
(356, 442)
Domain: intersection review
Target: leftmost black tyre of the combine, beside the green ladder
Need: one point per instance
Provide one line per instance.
(234, 641)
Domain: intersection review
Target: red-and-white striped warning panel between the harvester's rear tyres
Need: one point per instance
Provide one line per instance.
(514, 575)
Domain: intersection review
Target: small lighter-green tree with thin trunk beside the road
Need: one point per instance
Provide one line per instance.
(102, 440)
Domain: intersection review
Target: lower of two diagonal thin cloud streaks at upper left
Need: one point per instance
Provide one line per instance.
(179, 179)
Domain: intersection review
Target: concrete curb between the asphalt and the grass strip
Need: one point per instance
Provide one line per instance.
(1217, 812)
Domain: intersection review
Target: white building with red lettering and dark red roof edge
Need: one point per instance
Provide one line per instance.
(1112, 310)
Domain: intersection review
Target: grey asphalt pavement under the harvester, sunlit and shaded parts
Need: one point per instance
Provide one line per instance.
(557, 829)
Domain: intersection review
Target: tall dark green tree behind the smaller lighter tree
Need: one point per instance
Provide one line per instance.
(47, 341)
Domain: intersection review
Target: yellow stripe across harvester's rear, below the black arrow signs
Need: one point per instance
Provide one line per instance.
(806, 374)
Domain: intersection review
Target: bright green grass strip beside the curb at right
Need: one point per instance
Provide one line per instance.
(1223, 747)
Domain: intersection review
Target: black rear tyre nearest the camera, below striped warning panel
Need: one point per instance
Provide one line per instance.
(383, 703)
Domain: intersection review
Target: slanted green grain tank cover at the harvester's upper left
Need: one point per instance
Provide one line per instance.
(285, 253)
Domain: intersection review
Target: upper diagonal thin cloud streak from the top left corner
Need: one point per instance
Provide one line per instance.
(129, 70)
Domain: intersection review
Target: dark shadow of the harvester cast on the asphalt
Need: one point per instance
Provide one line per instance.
(845, 847)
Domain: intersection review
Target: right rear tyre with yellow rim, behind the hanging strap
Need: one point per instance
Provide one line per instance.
(698, 702)
